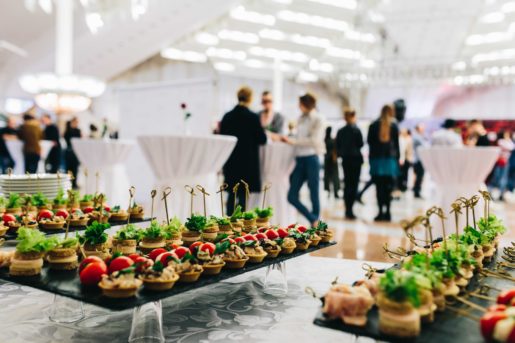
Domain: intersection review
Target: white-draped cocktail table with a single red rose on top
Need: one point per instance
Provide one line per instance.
(179, 160)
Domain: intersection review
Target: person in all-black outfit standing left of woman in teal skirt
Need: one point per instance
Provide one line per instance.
(349, 142)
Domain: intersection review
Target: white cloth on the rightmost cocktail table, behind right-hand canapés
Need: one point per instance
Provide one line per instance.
(458, 172)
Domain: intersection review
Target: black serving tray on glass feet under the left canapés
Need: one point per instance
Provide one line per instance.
(67, 283)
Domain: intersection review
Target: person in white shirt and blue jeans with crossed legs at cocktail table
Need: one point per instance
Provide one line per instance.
(309, 144)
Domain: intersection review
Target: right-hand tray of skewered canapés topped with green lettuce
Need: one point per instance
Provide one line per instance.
(436, 289)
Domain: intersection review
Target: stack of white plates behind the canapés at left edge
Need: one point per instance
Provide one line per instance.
(48, 184)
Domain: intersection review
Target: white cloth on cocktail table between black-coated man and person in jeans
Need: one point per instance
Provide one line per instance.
(277, 161)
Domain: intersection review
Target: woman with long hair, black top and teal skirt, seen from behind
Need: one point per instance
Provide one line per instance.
(383, 141)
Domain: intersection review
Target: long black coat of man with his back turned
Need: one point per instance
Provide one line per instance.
(243, 164)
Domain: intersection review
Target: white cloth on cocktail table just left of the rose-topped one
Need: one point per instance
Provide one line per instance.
(106, 157)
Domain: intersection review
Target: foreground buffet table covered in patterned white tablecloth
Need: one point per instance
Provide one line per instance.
(234, 310)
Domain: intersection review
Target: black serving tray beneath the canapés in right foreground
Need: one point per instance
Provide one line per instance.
(447, 326)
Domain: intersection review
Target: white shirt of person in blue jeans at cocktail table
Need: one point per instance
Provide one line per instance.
(309, 139)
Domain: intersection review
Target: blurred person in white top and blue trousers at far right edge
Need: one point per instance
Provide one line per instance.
(501, 172)
